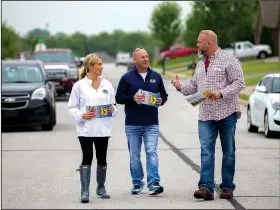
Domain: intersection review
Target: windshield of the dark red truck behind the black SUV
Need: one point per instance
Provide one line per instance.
(56, 56)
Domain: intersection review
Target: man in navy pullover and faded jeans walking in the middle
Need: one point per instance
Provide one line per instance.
(141, 121)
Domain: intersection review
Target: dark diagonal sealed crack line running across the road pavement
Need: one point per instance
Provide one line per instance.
(196, 168)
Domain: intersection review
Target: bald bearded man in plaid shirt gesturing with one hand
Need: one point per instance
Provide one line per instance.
(220, 72)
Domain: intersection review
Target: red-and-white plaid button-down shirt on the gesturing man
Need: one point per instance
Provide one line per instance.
(224, 74)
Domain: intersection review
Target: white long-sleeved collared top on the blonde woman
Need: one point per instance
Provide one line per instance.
(82, 95)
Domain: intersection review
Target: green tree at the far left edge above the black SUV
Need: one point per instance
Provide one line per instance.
(10, 42)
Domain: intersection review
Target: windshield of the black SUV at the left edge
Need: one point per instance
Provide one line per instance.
(12, 73)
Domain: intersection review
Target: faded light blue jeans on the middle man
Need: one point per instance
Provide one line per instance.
(149, 134)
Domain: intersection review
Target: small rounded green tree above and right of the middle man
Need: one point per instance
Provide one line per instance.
(165, 23)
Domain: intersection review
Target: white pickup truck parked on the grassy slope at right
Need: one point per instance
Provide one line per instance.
(246, 49)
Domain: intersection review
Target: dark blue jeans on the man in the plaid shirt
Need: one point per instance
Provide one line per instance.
(208, 132)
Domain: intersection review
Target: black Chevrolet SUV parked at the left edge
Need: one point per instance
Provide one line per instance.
(28, 98)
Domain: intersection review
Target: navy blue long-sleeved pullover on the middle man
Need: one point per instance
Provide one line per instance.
(130, 83)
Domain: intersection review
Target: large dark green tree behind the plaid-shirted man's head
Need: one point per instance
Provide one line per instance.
(231, 21)
